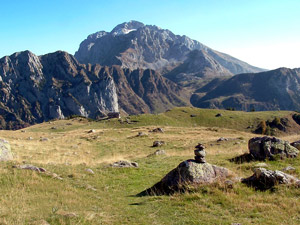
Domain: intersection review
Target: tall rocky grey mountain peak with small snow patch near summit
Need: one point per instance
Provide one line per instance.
(134, 45)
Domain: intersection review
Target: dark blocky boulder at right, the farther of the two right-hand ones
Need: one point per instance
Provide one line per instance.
(262, 148)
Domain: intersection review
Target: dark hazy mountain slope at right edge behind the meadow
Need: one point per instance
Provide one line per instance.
(272, 90)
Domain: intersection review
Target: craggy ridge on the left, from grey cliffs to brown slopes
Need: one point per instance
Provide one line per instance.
(36, 89)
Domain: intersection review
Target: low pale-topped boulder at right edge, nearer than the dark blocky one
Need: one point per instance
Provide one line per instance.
(265, 179)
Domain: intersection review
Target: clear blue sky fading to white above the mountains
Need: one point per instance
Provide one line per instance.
(264, 33)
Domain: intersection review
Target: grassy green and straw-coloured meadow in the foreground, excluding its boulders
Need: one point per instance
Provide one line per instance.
(110, 195)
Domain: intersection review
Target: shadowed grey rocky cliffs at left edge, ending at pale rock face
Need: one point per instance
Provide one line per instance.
(35, 89)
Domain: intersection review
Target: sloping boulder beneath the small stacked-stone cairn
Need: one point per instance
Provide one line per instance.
(187, 173)
